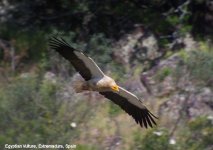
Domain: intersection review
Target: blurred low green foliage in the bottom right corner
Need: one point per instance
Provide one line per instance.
(196, 135)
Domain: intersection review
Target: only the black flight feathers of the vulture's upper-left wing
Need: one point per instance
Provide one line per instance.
(67, 51)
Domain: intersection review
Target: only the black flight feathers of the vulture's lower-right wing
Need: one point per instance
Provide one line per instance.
(142, 116)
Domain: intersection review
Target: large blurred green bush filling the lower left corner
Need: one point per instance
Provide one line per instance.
(31, 113)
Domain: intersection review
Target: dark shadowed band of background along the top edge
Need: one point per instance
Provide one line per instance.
(111, 17)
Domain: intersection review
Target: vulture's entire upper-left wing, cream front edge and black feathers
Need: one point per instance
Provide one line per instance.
(83, 64)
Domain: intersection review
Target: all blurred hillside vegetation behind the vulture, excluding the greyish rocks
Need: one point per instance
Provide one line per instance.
(37, 101)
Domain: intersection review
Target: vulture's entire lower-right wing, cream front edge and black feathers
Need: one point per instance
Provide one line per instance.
(132, 105)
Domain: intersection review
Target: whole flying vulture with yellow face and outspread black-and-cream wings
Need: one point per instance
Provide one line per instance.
(96, 80)
